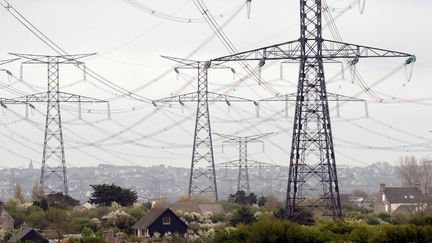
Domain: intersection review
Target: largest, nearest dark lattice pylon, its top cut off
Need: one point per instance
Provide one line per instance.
(312, 182)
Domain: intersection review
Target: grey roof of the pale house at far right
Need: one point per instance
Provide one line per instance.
(404, 195)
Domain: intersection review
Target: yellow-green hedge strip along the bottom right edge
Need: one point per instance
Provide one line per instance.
(273, 230)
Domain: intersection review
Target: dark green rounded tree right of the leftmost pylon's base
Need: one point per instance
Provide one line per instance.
(105, 195)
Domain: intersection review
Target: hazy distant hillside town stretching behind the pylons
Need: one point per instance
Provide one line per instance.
(172, 182)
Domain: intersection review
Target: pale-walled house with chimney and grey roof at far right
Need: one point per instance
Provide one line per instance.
(399, 200)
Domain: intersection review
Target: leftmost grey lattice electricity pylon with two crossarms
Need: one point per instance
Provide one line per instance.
(53, 171)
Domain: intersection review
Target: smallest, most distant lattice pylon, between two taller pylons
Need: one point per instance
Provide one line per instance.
(242, 162)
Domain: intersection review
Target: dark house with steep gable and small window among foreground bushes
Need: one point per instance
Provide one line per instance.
(160, 220)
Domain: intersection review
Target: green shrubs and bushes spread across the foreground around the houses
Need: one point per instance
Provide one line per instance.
(248, 218)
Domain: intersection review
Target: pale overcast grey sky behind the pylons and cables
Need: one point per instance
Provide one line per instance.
(129, 43)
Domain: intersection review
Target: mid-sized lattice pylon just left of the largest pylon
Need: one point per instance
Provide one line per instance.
(202, 175)
